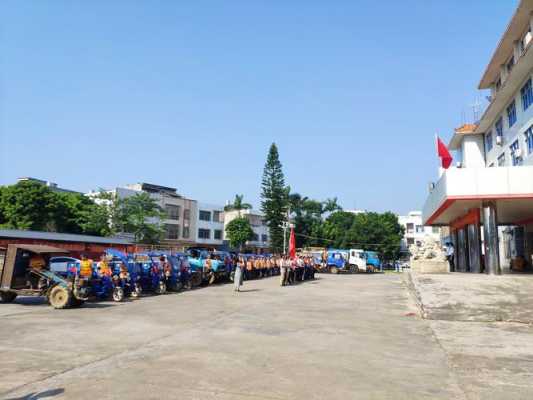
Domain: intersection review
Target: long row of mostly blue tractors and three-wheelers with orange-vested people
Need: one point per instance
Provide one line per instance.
(36, 270)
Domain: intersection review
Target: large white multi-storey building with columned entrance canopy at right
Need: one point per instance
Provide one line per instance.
(492, 185)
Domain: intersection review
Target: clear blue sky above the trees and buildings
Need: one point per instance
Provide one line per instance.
(191, 94)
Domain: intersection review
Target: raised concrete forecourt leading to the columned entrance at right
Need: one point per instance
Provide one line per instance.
(485, 325)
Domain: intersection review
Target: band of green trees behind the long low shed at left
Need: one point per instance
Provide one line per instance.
(34, 206)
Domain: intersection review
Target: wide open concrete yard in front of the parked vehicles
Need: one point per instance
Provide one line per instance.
(339, 337)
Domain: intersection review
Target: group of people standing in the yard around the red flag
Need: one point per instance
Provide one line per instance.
(292, 270)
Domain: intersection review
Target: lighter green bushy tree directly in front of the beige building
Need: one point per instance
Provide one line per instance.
(140, 215)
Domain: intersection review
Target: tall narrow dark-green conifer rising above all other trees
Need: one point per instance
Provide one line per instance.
(274, 198)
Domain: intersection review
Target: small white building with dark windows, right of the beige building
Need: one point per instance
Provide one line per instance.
(210, 225)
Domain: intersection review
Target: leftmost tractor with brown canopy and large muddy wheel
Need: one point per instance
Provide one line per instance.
(25, 271)
